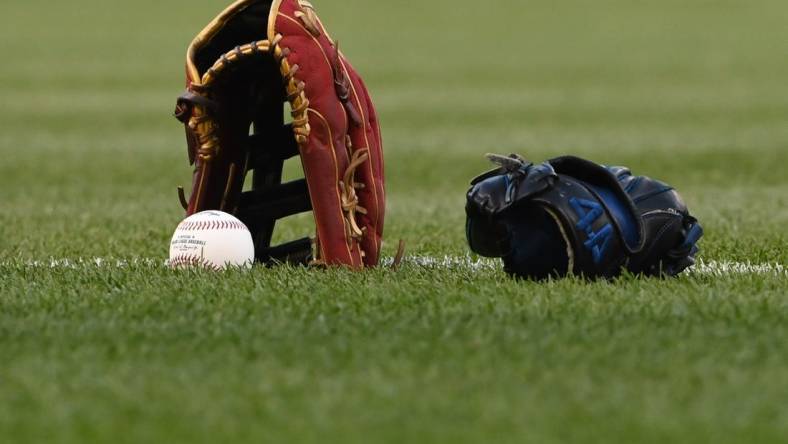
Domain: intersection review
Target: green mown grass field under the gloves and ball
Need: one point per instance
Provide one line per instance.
(693, 92)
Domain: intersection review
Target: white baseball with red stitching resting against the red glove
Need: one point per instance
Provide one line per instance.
(211, 239)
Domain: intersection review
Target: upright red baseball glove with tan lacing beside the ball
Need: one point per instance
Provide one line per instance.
(242, 70)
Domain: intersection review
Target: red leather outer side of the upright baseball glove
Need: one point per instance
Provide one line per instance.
(327, 149)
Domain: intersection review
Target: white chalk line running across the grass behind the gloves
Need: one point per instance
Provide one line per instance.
(459, 263)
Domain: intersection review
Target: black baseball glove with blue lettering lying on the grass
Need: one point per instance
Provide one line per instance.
(572, 216)
